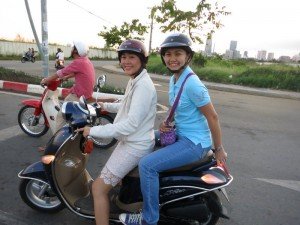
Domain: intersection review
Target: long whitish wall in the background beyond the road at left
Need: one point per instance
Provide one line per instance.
(18, 48)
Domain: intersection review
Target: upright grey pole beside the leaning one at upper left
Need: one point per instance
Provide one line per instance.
(45, 38)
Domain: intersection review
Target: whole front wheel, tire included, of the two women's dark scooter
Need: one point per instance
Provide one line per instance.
(39, 196)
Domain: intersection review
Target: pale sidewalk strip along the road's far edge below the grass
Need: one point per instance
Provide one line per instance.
(217, 86)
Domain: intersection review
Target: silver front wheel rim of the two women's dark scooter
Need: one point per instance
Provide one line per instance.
(41, 195)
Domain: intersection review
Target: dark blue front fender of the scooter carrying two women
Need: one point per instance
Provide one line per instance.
(35, 171)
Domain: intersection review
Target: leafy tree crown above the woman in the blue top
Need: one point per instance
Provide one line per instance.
(201, 22)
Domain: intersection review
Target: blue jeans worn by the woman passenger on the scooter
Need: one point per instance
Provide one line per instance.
(182, 152)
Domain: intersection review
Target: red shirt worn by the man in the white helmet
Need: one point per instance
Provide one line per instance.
(84, 72)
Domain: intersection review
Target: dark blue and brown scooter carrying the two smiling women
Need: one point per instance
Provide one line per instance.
(188, 195)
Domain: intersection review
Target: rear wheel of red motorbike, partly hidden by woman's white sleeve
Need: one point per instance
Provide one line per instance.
(104, 143)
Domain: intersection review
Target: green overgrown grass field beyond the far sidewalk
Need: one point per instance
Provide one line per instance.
(240, 72)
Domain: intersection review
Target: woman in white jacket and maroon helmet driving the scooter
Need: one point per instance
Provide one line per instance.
(133, 126)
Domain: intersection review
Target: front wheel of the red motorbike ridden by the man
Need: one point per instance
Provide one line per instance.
(25, 118)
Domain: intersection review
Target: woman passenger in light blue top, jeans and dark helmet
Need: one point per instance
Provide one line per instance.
(197, 128)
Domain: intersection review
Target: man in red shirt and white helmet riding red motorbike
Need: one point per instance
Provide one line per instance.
(82, 69)
